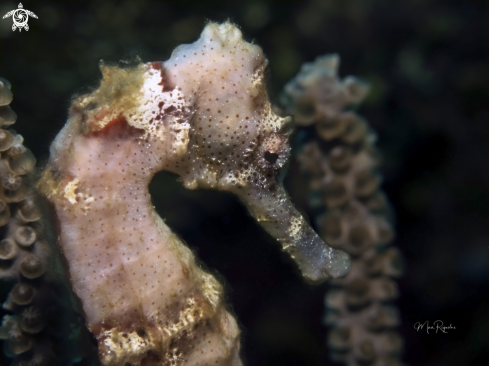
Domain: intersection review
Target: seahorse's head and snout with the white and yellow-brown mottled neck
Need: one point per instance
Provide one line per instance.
(205, 115)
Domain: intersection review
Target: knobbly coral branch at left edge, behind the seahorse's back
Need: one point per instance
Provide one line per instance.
(43, 313)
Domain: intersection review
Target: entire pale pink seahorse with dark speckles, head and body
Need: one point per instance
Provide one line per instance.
(203, 114)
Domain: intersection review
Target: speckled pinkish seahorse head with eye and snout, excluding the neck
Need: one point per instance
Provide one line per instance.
(236, 142)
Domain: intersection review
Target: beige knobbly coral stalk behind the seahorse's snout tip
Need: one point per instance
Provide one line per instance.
(341, 161)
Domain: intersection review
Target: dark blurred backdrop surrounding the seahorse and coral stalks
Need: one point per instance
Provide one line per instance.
(427, 64)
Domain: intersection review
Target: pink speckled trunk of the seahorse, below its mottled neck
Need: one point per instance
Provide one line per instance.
(144, 297)
